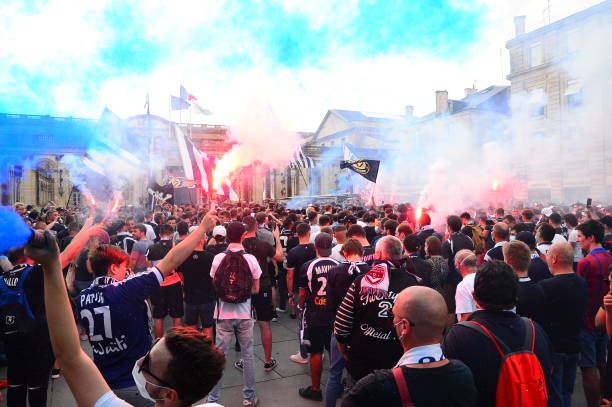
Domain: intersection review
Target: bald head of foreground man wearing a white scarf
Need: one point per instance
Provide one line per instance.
(424, 307)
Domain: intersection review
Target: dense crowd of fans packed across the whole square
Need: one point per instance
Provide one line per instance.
(487, 307)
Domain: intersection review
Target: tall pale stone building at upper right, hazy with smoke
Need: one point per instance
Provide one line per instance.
(561, 82)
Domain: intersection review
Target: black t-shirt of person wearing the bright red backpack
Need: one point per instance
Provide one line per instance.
(479, 353)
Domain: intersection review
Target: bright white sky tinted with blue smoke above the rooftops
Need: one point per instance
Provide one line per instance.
(296, 58)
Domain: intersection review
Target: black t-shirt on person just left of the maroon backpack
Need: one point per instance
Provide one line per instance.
(197, 284)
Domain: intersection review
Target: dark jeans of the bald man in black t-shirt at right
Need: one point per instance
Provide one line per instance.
(563, 378)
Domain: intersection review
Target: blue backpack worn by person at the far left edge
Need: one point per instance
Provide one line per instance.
(15, 313)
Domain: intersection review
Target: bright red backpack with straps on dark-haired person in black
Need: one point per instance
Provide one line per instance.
(521, 380)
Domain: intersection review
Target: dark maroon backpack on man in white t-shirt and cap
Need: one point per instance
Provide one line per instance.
(233, 279)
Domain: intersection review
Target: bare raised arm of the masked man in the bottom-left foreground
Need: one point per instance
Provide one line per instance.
(84, 379)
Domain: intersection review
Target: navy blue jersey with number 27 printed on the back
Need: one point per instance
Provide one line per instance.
(116, 317)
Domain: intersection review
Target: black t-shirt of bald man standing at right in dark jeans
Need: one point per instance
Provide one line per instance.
(566, 297)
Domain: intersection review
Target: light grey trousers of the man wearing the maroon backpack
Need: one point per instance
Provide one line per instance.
(244, 335)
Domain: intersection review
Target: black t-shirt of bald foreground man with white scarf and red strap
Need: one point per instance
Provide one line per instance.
(448, 385)
